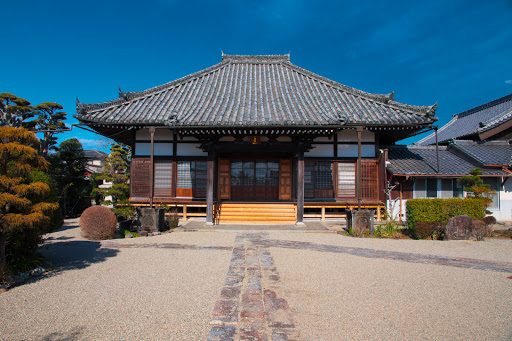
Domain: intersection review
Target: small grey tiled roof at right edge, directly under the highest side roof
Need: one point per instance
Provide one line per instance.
(487, 153)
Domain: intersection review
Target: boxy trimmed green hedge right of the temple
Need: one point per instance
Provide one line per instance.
(440, 210)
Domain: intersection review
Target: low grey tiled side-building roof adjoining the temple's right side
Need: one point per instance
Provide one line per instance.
(422, 160)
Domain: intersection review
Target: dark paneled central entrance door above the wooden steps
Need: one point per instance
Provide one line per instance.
(255, 180)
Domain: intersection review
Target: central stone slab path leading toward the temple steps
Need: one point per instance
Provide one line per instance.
(250, 307)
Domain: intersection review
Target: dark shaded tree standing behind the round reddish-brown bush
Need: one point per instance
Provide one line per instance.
(68, 168)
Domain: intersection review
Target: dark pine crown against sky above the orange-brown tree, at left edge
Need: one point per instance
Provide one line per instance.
(15, 111)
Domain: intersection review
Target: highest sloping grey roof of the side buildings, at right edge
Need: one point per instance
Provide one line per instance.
(473, 121)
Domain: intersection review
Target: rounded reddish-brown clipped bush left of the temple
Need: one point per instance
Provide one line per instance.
(98, 223)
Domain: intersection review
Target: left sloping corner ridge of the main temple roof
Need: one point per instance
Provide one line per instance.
(127, 96)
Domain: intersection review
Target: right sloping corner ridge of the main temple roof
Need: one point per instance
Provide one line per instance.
(387, 99)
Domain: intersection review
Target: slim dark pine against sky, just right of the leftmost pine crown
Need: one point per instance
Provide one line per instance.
(50, 120)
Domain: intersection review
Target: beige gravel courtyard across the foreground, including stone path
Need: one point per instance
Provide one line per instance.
(270, 285)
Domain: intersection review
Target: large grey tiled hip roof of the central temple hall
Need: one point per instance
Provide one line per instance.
(259, 91)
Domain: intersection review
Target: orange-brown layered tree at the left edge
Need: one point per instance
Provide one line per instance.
(21, 207)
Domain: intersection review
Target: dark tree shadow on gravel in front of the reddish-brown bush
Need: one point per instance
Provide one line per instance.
(70, 255)
